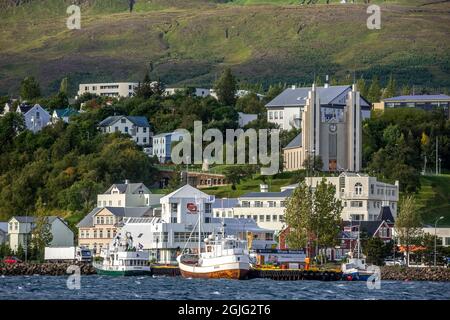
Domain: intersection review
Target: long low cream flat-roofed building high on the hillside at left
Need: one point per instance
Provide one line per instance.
(113, 89)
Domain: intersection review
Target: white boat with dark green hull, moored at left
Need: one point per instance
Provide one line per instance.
(123, 259)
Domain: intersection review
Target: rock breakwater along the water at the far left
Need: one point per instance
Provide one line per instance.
(48, 269)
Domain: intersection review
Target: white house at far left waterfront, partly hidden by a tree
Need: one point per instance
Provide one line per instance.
(20, 230)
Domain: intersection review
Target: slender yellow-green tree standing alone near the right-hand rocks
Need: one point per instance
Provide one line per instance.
(408, 224)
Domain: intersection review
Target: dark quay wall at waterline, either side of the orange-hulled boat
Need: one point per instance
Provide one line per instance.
(274, 274)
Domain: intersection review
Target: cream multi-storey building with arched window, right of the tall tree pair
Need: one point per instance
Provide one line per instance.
(362, 196)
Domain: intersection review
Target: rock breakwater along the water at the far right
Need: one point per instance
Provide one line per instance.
(415, 274)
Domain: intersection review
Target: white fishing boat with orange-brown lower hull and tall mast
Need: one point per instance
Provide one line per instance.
(218, 256)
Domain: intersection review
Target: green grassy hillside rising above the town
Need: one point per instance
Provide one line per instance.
(189, 41)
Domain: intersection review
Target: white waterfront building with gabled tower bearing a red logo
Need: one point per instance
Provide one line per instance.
(164, 237)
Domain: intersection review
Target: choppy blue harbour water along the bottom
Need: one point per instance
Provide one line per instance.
(106, 288)
